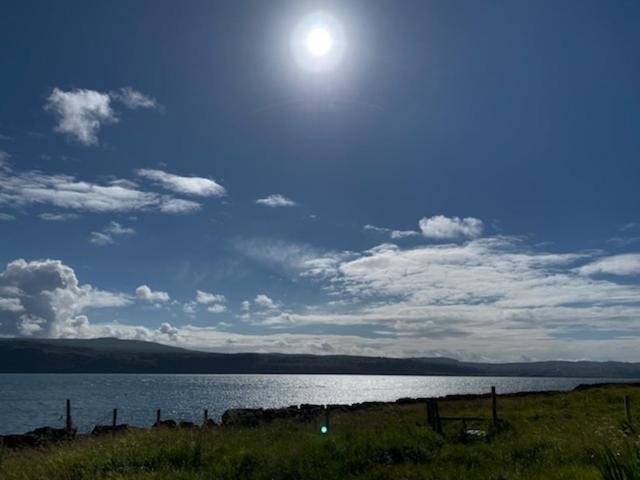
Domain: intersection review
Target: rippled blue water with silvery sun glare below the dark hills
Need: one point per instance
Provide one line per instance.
(30, 401)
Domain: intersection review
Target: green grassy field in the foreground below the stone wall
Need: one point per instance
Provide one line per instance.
(550, 437)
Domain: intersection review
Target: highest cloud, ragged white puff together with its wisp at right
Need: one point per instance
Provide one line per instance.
(81, 113)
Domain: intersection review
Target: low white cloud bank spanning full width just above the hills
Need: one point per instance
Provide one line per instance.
(493, 298)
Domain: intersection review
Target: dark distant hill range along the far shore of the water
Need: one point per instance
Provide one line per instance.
(110, 355)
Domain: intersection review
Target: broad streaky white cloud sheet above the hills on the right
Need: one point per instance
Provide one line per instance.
(481, 297)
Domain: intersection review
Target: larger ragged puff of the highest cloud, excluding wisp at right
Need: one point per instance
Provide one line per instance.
(80, 113)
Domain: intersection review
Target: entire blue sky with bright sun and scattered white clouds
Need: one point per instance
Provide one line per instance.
(429, 178)
